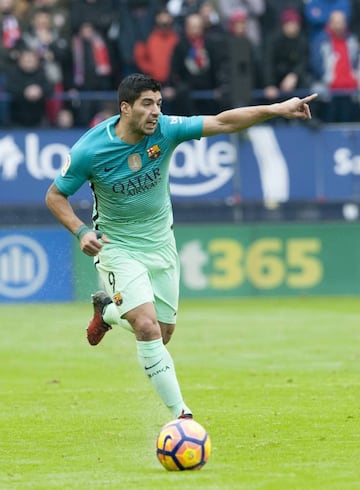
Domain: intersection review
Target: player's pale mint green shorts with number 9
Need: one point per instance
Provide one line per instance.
(134, 277)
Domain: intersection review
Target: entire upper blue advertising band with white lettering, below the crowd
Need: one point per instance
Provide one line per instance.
(264, 163)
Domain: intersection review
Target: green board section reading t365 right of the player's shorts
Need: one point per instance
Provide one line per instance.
(269, 260)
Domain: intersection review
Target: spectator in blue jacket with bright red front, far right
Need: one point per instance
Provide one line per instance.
(335, 64)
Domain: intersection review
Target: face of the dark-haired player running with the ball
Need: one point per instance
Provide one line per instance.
(144, 114)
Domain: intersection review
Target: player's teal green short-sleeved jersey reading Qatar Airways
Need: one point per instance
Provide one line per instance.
(130, 182)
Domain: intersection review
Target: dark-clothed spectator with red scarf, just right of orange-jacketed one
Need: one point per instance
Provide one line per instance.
(196, 65)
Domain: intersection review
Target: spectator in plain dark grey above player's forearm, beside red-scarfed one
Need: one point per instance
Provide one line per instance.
(243, 58)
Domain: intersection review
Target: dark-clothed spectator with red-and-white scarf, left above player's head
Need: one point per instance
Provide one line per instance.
(91, 68)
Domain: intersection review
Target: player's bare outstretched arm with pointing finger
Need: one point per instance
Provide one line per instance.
(235, 120)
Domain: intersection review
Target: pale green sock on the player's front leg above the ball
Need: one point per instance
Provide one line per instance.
(159, 368)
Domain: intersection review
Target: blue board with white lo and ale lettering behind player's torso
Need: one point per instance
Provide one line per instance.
(29, 161)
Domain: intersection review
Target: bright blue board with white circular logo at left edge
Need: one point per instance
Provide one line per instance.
(35, 265)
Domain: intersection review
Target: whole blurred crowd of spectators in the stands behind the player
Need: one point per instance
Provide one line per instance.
(61, 60)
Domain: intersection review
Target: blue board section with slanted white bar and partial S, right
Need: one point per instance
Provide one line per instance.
(300, 163)
